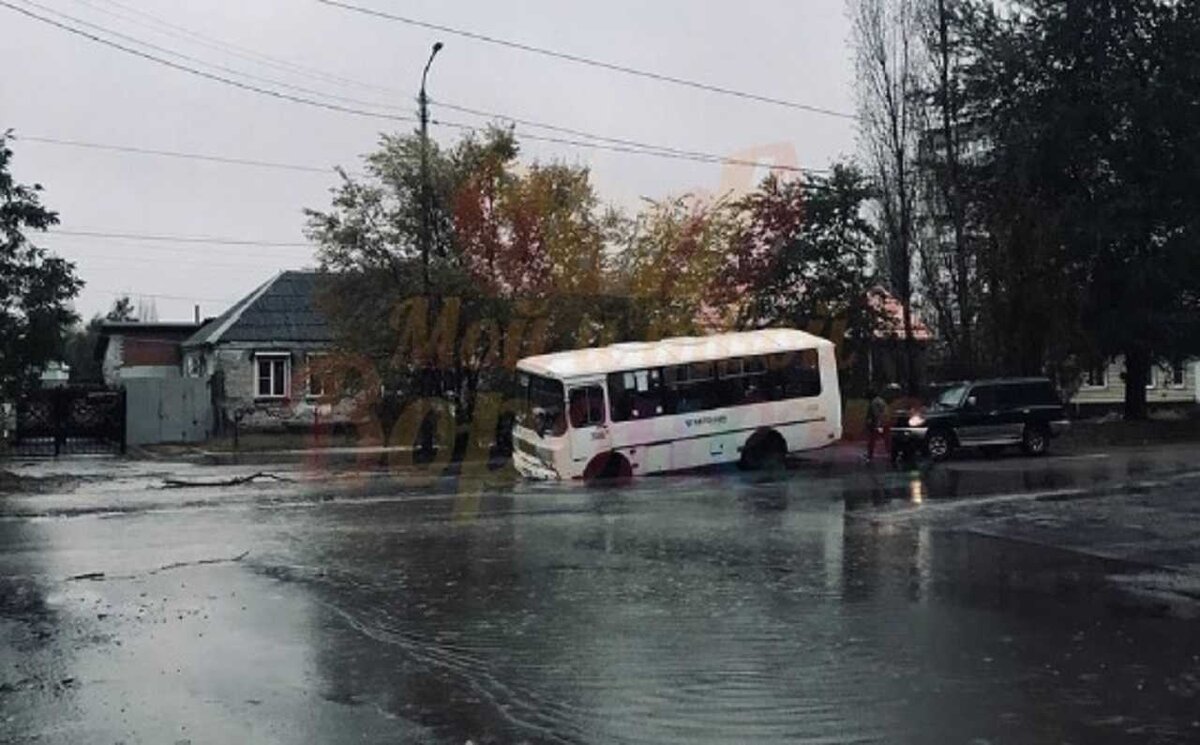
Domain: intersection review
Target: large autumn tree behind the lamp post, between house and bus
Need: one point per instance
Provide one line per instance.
(518, 260)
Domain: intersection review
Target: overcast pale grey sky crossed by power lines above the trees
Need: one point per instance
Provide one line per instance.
(59, 86)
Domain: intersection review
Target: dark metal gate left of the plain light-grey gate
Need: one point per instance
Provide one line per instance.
(70, 420)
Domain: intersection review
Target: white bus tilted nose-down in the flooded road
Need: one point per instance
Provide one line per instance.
(680, 404)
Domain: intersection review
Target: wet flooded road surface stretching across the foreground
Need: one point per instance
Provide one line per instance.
(709, 609)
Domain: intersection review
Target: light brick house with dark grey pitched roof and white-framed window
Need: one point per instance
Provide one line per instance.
(260, 357)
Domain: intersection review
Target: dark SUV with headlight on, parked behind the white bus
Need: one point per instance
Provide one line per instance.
(988, 414)
